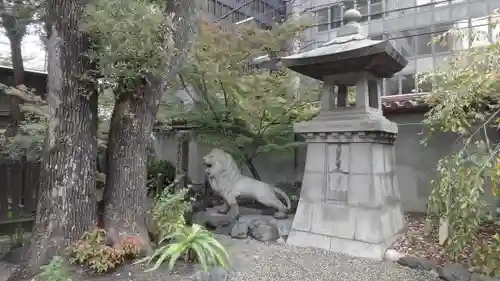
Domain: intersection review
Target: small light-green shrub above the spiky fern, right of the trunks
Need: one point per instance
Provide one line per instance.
(168, 211)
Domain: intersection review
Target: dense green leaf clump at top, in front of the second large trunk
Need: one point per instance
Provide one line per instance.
(129, 38)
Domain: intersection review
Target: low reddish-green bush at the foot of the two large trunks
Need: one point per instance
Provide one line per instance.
(92, 251)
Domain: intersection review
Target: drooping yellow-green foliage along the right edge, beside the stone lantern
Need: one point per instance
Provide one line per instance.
(464, 100)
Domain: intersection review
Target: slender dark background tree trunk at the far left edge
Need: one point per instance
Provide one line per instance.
(15, 114)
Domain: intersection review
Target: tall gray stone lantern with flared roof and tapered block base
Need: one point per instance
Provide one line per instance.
(350, 201)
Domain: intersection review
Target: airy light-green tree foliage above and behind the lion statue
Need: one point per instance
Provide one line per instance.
(243, 109)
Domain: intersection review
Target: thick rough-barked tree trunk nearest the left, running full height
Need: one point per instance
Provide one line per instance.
(67, 203)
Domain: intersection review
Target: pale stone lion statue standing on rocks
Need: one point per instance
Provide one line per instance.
(227, 180)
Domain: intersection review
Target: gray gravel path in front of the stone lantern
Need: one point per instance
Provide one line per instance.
(255, 261)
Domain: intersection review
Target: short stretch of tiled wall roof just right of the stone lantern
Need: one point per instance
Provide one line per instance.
(407, 102)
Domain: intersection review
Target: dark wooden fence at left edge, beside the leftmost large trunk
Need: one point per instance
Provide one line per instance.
(19, 182)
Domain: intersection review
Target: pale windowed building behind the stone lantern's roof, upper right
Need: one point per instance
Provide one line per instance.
(411, 24)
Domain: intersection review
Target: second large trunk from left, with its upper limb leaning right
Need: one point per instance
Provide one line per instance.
(130, 130)
